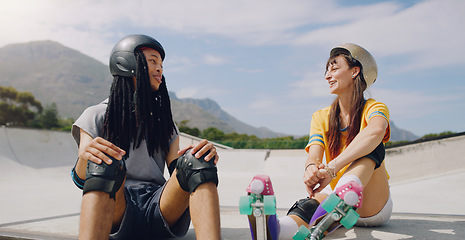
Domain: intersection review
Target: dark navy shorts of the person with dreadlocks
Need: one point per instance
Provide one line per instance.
(143, 218)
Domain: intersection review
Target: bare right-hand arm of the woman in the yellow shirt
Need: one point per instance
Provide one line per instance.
(363, 144)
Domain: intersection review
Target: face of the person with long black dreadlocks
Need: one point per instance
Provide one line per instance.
(155, 67)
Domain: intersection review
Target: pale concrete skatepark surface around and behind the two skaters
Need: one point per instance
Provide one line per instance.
(39, 200)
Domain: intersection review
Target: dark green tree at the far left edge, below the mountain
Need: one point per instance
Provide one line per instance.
(17, 108)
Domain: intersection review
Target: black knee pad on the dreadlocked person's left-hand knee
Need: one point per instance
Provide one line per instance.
(105, 178)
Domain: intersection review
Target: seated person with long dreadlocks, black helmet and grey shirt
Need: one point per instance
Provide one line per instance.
(125, 143)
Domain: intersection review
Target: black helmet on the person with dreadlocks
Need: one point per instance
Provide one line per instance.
(122, 58)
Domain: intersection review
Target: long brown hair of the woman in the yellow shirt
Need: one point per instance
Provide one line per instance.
(334, 134)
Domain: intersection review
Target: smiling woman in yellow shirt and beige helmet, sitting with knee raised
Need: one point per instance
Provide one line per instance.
(350, 133)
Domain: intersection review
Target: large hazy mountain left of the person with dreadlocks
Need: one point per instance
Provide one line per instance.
(55, 73)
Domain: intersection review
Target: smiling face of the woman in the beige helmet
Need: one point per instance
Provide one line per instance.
(340, 76)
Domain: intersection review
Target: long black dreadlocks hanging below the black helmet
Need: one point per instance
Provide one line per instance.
(136, 114)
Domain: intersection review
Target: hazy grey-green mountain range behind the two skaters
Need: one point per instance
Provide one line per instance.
(54, 73)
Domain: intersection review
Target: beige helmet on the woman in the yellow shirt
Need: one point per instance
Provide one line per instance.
(369, 67)
